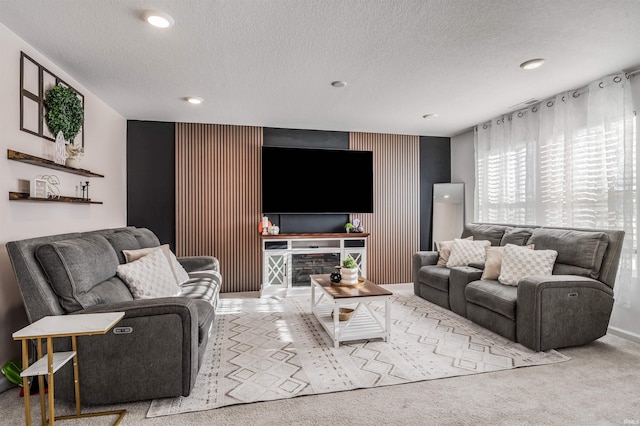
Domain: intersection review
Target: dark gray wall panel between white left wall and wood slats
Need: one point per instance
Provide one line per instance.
(151, 178)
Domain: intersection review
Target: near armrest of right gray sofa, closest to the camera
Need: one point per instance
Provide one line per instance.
(561, 310)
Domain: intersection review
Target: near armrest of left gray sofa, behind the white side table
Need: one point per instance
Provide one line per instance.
(155, 346)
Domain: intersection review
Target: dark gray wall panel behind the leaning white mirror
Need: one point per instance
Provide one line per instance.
(435, 167)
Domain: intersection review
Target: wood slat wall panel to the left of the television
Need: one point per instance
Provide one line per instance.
(218, 199)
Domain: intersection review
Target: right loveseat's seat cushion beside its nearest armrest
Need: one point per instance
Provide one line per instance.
(493, 296)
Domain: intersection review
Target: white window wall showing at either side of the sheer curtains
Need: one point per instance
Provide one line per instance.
(624, 321)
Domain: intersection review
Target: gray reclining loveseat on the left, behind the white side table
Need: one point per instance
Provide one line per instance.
(161, 341)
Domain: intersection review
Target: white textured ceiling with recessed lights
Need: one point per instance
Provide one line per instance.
(270, 62)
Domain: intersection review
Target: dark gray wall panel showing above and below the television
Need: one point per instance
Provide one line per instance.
(296, 138)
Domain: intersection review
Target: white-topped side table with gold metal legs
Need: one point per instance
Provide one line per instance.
(60, 326)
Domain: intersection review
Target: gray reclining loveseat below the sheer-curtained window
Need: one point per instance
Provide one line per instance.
(569, 308)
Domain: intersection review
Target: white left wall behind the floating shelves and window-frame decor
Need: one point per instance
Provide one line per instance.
(105, 153)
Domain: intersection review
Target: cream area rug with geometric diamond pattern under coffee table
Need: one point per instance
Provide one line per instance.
(264, 349)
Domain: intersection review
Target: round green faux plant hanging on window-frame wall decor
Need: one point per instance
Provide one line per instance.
(64, 112)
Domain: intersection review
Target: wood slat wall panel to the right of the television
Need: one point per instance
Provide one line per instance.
(394, 224)
